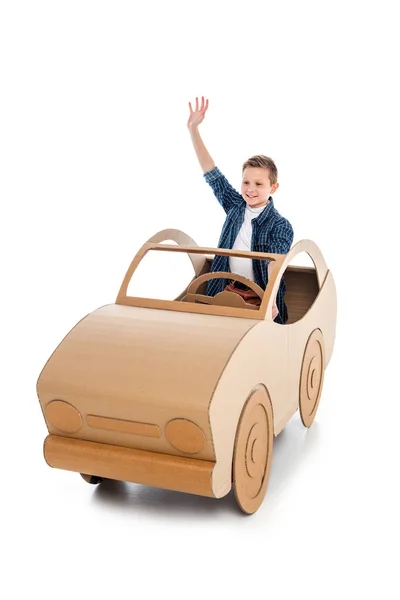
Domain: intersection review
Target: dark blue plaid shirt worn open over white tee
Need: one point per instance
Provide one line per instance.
(271, 233)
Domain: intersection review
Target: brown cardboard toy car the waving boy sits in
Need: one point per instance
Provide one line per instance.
(188, 394)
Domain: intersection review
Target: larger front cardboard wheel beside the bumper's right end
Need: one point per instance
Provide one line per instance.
(253, 451)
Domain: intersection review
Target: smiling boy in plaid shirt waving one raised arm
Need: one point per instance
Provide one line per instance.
(252, 221)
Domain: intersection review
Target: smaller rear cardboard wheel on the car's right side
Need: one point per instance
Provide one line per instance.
(312, 377)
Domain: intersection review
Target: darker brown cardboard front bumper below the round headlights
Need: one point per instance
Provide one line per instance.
(128, 464)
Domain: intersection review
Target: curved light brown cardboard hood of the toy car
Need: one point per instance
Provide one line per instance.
(141, 364)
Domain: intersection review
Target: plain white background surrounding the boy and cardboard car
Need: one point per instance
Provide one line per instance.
(96, 158)
